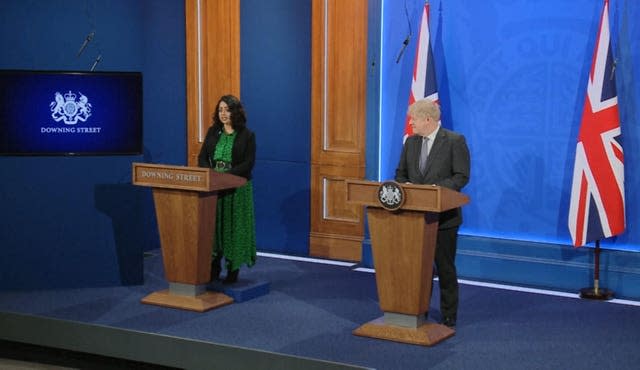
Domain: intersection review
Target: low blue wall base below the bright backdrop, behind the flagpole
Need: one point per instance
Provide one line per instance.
(553, 267)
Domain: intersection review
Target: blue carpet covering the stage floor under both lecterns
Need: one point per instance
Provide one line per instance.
(311, 310)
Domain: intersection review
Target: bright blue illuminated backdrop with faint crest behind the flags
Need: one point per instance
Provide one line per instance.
(512, 77)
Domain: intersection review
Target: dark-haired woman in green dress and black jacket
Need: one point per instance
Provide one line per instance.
(230, 147)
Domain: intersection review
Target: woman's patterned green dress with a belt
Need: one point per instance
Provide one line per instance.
(235, 237)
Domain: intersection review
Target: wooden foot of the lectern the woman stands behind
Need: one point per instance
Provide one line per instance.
(200, 303)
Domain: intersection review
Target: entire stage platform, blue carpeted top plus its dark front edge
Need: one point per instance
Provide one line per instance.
(306, 321)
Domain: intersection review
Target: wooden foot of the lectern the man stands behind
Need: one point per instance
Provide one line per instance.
(425, 335)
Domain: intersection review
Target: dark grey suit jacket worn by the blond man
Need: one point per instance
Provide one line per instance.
(448, 165)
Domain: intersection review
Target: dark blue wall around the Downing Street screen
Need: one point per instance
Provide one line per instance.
(78, 221)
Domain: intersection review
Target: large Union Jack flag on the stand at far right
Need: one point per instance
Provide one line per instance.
(597, 203)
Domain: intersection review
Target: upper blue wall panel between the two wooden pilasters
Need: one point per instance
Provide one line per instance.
(276, 76)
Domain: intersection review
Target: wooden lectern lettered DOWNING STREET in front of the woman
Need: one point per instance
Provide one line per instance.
(185, 201)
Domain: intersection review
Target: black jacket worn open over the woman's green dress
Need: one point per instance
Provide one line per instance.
(243, 153)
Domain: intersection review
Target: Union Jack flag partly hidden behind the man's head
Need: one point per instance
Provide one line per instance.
(423, 84)
